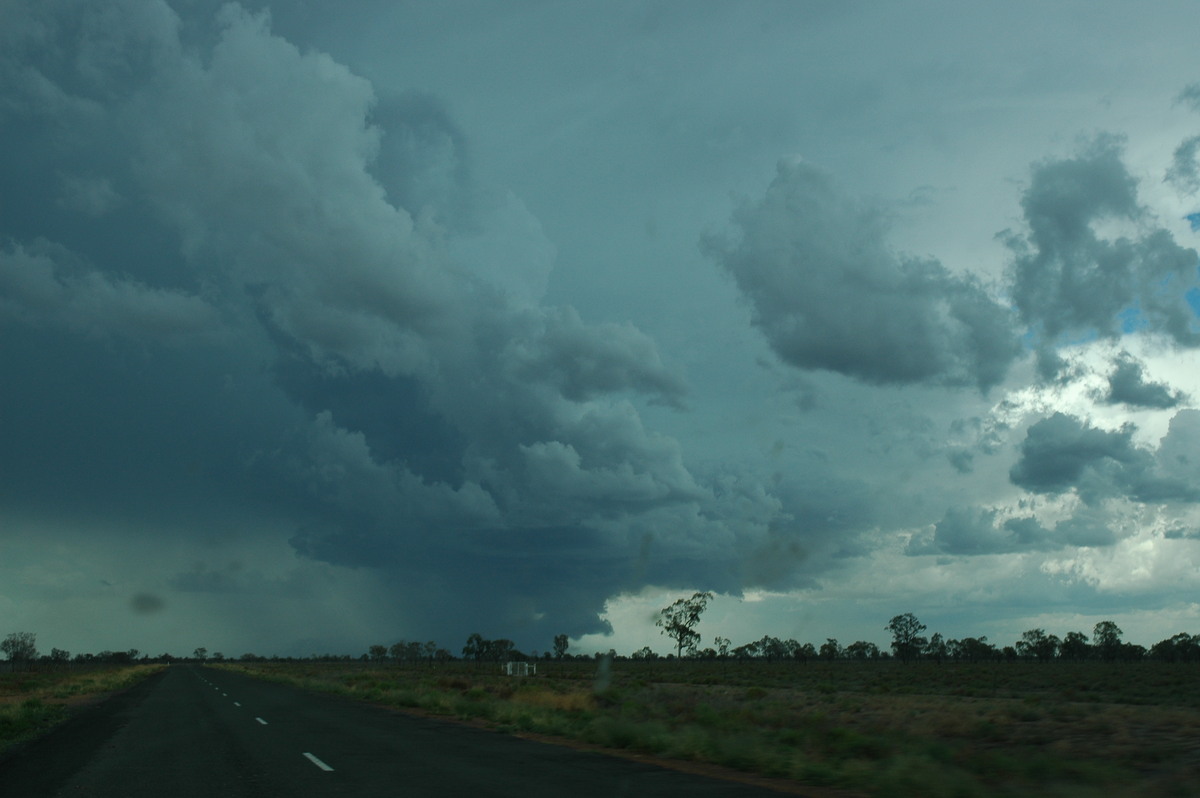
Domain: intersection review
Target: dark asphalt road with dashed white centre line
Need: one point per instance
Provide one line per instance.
(194, 731)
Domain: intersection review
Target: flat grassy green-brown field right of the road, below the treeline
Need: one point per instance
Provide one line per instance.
(877, 729)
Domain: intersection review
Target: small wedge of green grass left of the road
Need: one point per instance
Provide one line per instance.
(32, 703)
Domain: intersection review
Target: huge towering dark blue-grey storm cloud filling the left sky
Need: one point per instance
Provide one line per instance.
(257, 290)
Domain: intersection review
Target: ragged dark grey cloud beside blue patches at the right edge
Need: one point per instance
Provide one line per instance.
(1069, 280)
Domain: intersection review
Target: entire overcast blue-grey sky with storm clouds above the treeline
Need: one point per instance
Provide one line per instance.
(335, 325)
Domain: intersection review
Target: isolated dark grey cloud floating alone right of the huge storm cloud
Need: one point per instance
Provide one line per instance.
(830, 295)
